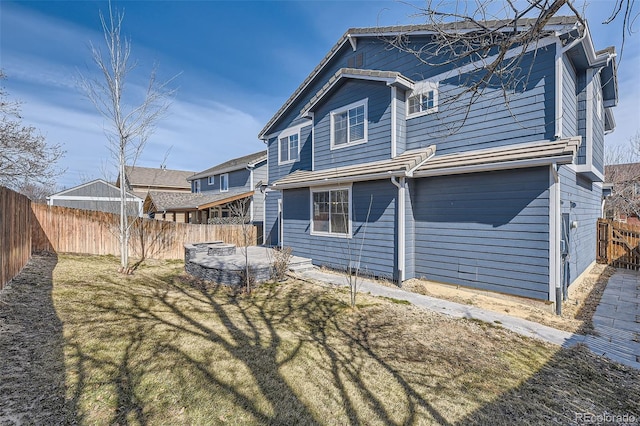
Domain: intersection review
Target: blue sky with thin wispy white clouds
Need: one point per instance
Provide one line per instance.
(237, 63)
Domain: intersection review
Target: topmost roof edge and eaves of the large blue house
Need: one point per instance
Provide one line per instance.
(558, 23)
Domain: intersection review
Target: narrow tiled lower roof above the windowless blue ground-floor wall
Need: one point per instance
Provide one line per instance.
(561, 151)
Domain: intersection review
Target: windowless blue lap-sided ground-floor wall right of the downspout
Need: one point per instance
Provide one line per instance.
(485, 230)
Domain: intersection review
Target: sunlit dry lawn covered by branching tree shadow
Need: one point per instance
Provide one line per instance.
(231, 350)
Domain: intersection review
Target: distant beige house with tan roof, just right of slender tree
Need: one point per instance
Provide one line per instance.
(141, 180)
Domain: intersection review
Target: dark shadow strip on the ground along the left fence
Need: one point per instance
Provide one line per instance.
(32, 371)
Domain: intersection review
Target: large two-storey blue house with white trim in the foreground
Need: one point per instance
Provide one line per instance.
(508, 203)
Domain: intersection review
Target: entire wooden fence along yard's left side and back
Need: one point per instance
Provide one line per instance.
(27, 227)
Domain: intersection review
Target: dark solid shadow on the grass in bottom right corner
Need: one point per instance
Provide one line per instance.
(573, 387)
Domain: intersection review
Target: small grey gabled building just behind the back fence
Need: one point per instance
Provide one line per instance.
(97, 195)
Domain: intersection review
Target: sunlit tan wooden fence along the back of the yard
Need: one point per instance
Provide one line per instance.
(67, 230)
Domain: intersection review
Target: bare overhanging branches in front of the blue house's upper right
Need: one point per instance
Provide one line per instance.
(490, 40)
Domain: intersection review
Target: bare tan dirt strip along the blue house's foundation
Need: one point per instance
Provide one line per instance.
(577, 310)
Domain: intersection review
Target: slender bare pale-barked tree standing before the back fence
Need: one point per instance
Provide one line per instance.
(129, 123)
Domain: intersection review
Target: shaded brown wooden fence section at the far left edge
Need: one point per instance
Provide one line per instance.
(15, 235)
